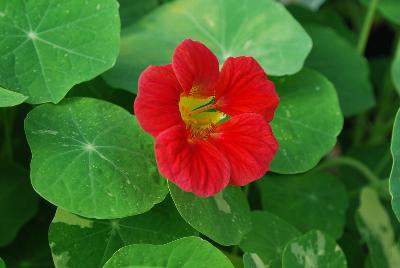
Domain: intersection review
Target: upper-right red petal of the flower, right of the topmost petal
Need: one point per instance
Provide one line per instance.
(243, 87)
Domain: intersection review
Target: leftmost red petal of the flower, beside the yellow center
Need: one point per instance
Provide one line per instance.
(157, 103)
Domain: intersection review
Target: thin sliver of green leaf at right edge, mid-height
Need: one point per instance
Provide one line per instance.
(394, 180)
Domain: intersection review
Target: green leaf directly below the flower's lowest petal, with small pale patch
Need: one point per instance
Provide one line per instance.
(224, 217)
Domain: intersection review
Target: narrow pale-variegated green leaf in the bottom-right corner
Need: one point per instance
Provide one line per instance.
(374, 225)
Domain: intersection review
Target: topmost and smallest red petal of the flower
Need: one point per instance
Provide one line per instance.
(196, 68)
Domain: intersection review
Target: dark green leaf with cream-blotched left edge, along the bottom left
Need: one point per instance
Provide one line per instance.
(80, 242)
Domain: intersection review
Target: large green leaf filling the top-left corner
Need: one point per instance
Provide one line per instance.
(49, 46)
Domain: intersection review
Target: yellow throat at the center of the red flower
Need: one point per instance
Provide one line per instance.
(200, 115)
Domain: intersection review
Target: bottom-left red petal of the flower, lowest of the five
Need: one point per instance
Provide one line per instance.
(196, 167)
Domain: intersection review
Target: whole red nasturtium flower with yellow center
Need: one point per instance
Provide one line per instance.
(211, 127)
